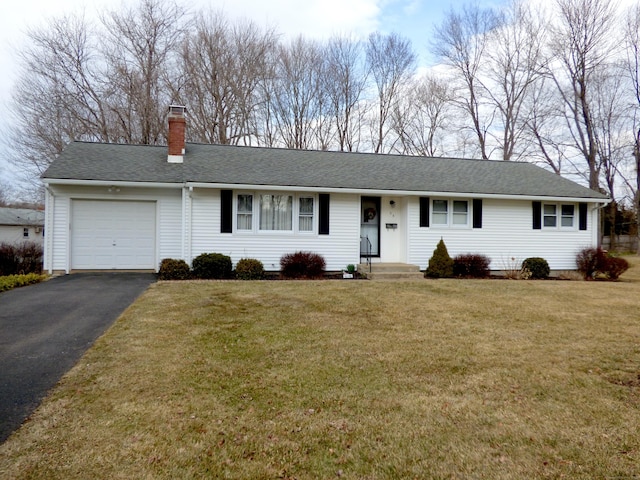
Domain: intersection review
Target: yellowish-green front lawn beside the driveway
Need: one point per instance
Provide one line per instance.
(486, 379)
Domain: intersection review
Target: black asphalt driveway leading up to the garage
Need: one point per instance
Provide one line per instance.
(46, 328)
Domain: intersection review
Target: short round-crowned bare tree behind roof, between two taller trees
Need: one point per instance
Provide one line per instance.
(422, 119)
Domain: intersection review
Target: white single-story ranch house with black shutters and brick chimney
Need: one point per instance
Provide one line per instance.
(127, 207)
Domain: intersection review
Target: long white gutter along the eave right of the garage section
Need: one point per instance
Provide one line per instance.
(367, 192)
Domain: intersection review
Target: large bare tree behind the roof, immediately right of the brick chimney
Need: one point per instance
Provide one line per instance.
(223, 64)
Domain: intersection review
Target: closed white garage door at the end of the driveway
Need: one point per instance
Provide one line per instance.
(111, 235)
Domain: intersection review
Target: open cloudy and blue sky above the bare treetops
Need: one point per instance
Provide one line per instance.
(312, 18)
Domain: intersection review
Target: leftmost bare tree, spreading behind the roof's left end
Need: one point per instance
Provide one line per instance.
(58, 97)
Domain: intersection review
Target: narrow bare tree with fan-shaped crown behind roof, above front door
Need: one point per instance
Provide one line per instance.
(391, 62)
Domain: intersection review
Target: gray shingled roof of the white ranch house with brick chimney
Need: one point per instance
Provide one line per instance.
(226, 164)
